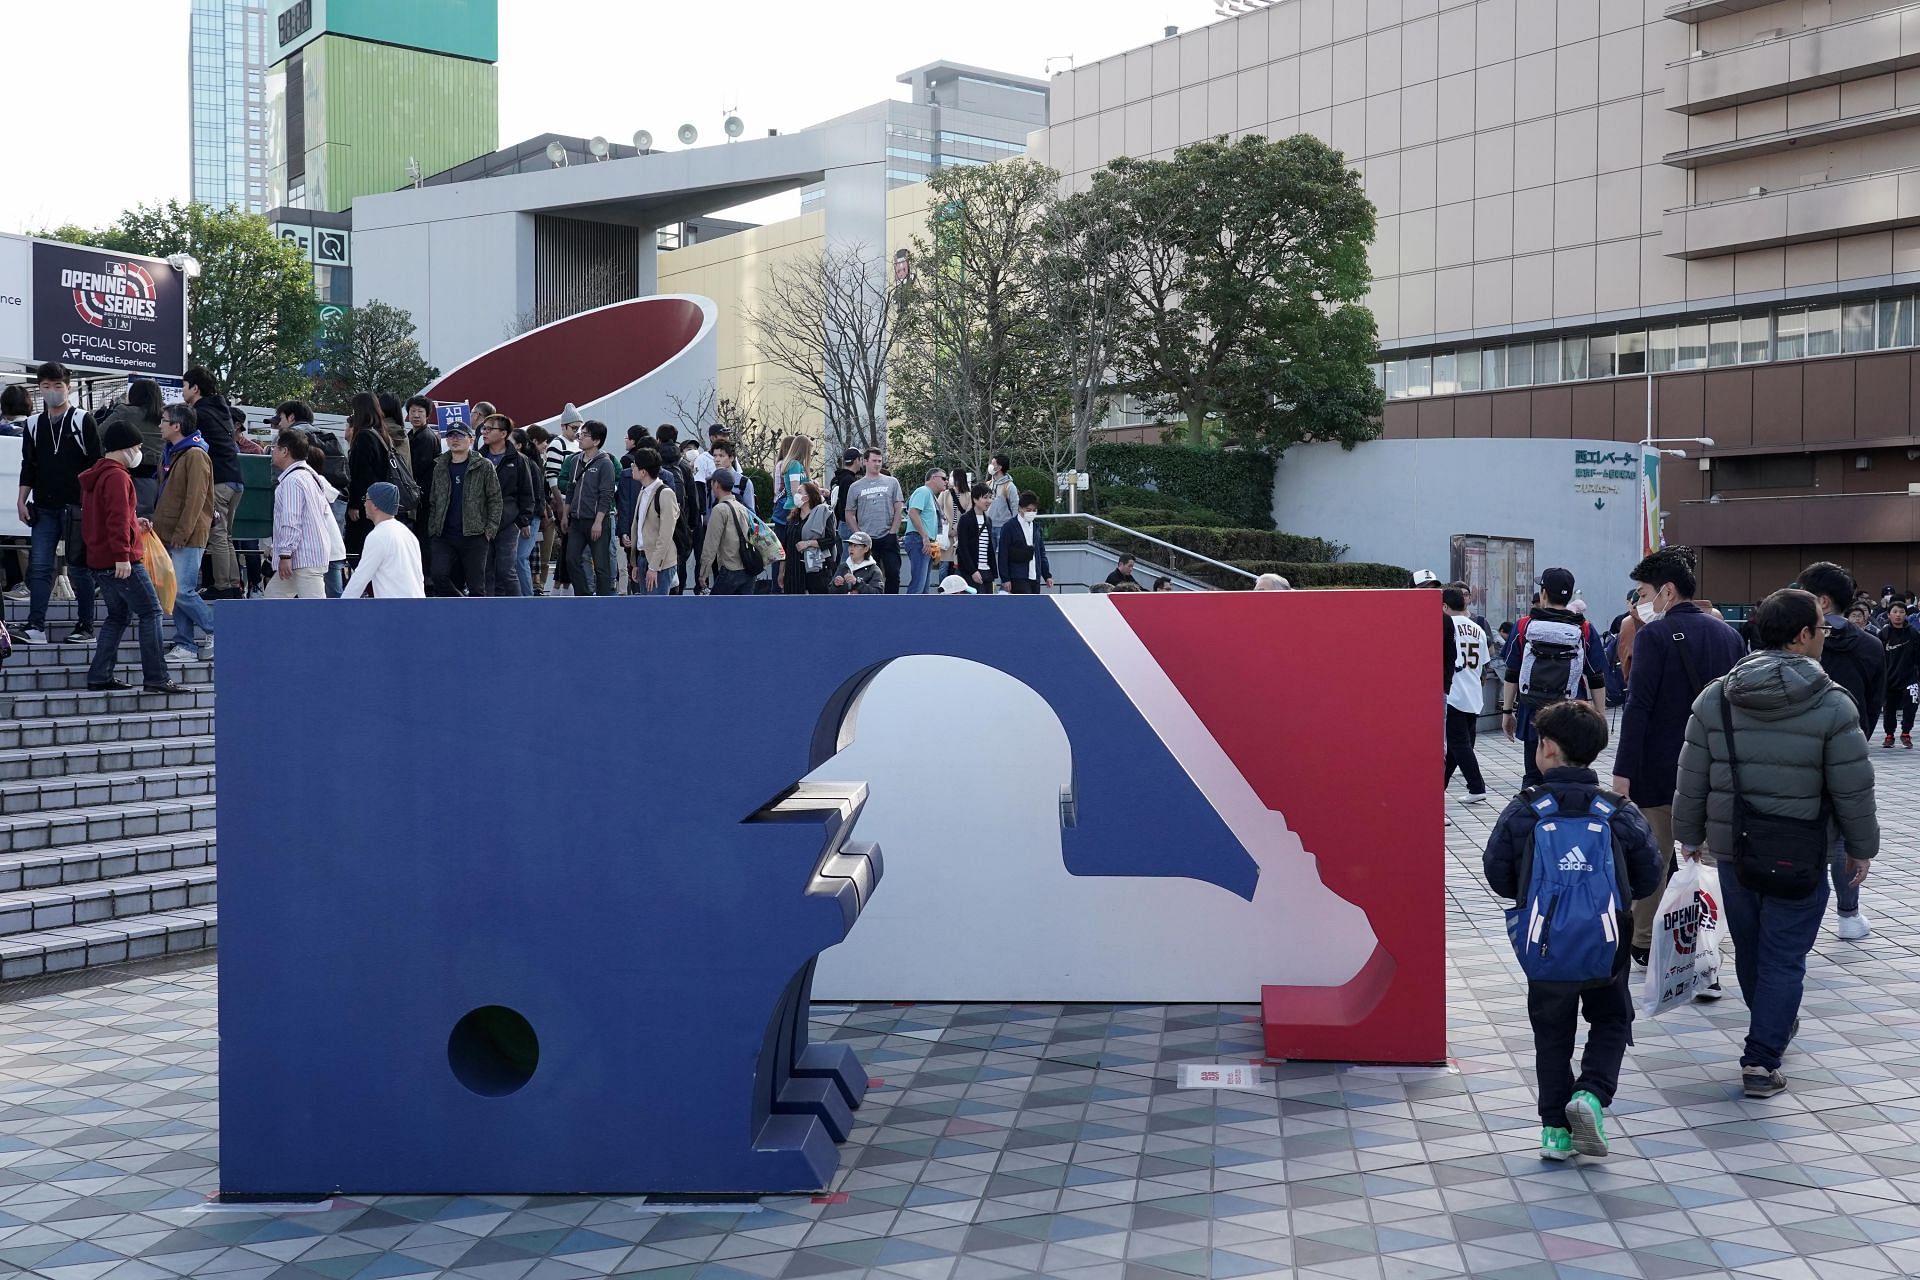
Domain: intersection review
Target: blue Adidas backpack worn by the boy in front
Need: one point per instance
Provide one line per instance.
(1566, 928)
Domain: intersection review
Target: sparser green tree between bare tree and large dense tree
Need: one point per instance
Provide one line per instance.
(976, 369)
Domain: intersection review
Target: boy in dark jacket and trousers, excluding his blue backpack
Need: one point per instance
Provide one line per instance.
(1572, 738)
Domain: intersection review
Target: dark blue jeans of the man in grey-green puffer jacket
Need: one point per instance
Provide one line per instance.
(1771, 943)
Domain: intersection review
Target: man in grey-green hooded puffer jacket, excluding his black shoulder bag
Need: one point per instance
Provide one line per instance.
(1800, 740)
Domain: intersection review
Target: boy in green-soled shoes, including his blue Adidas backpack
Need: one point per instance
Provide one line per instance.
(1573, 857)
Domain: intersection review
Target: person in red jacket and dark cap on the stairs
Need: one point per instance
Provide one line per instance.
(112, 527)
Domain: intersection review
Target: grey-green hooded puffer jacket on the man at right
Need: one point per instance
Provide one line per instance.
(1798, 736)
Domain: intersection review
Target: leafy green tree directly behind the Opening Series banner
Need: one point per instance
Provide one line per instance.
(251, 314)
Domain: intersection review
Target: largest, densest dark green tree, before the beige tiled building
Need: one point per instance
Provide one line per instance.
(1243, 289)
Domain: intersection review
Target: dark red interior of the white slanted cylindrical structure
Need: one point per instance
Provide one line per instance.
(575, 362)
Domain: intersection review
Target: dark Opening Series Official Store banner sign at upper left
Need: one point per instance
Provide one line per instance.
(107, 312)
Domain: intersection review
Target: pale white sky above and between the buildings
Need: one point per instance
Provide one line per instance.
(76, 149)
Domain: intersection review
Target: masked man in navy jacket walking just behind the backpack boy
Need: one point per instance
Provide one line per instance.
(1679, 652)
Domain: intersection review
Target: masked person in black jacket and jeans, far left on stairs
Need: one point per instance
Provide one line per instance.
(59, 448)
